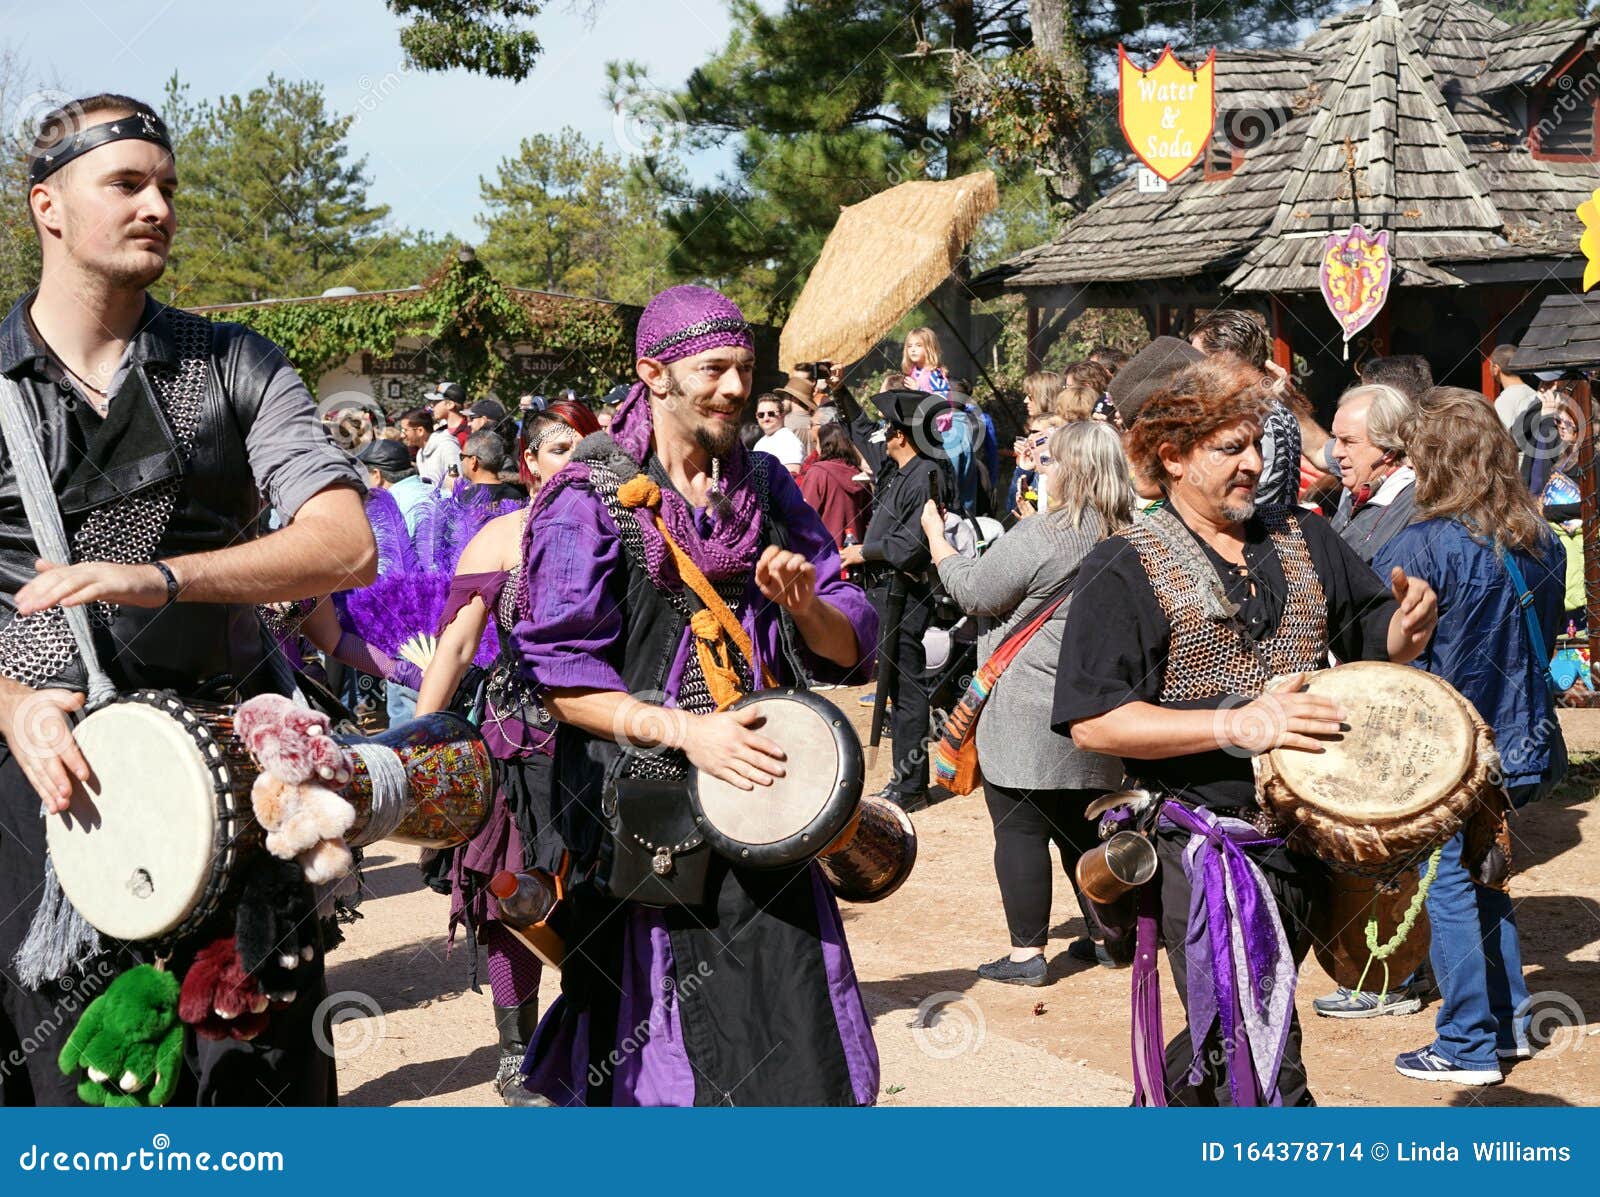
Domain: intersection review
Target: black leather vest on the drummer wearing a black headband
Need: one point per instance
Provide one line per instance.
(209, 375)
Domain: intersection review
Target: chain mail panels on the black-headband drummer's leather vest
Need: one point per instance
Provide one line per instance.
(39, 647)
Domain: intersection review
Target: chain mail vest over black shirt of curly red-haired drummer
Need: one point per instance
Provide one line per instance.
(1210, 652)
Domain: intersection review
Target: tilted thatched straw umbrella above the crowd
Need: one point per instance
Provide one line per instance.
(884, 258)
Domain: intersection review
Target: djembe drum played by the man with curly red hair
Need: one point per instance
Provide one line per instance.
(1415, 766)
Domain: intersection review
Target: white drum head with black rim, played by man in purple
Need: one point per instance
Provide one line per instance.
(802, 812)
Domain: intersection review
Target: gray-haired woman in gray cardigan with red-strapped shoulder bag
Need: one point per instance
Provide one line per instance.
(1038, 783)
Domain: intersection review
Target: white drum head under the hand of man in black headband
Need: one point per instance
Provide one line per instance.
(134, 852)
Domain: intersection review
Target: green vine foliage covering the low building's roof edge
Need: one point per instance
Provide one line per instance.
(474, 327)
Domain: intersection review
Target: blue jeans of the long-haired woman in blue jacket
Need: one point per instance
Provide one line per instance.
(1478, 961)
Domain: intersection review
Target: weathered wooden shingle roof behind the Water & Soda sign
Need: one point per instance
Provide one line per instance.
(1418, 90)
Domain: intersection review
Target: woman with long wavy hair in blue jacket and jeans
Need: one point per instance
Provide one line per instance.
(1500, 575)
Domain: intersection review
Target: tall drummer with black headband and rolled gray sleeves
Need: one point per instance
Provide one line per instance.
(161, 434)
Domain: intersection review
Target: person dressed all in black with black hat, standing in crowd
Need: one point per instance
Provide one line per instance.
(895, 554)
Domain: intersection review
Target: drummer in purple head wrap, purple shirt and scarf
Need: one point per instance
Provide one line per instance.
(737, 990)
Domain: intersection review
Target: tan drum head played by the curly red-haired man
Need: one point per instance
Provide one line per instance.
(1409, 747)
